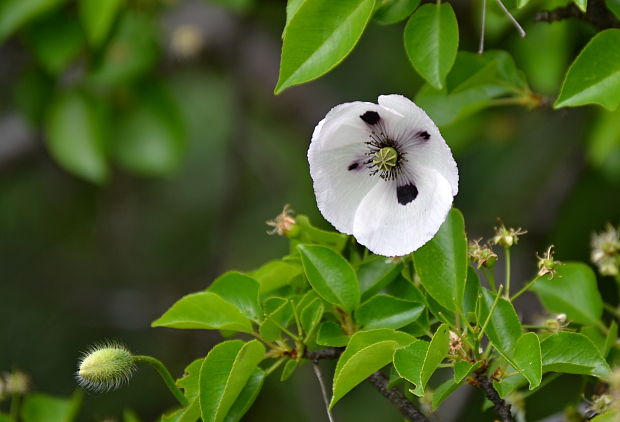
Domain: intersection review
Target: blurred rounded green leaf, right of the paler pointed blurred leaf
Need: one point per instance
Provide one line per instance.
(150, 138)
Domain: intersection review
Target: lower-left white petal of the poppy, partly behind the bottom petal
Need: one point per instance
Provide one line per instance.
(339, 190)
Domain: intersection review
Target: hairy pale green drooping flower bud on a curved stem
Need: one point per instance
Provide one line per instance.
(105, 367)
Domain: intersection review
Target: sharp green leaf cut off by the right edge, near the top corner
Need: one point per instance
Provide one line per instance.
(594, 76)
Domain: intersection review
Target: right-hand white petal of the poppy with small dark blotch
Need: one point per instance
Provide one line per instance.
(433, 153)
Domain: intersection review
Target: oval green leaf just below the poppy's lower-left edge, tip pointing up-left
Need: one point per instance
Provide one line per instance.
(331, 276)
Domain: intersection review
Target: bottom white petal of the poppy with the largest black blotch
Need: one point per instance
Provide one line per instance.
(388, 228)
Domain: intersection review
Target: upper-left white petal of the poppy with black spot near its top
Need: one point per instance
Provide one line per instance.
(344, 126)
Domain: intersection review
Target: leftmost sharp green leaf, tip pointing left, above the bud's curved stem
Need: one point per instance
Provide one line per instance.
(204, 310)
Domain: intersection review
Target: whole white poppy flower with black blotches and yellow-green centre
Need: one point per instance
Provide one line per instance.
(383, 173)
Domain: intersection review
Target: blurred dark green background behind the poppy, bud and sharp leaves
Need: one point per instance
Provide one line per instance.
(189, 153)
